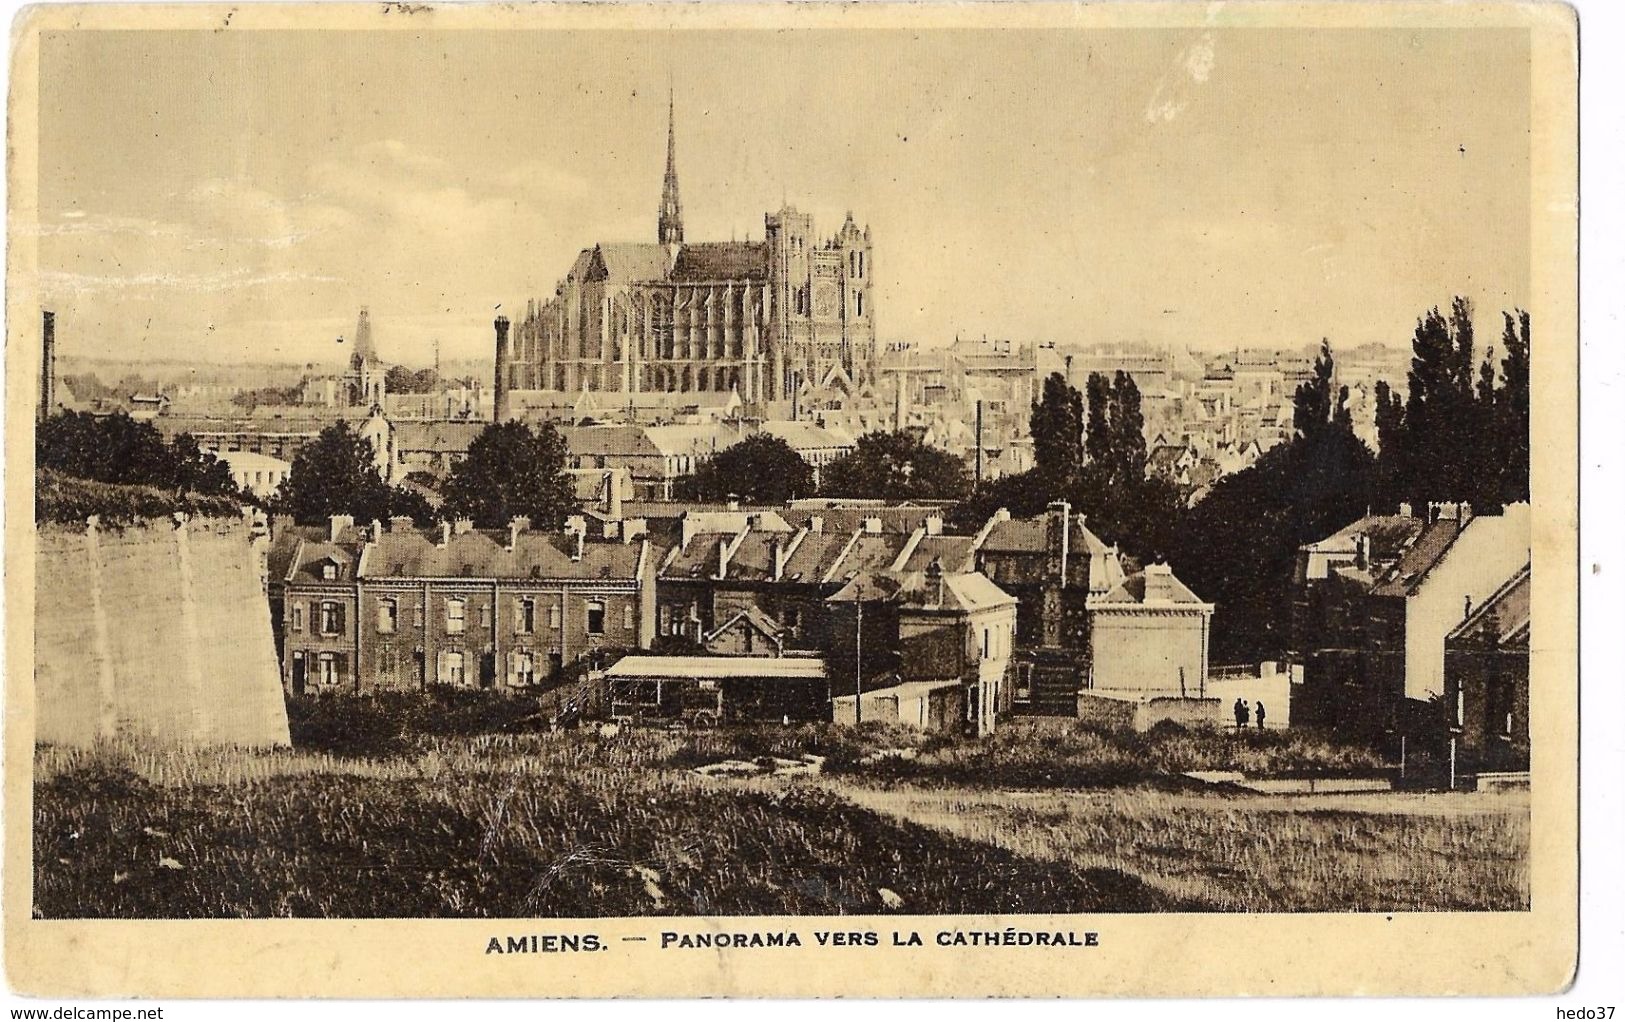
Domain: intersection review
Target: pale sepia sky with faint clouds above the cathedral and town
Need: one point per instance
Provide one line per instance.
(225, 196)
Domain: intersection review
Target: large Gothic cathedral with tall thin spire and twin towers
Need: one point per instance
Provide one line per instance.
(763, 319)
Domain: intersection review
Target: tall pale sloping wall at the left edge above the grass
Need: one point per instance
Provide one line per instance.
(155, 631)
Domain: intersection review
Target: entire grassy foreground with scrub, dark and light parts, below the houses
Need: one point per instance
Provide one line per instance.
(459, 810)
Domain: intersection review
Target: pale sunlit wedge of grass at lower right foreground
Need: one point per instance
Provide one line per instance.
(1255, 852)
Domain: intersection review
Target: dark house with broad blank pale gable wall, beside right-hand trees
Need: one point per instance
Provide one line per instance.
(1376, 602)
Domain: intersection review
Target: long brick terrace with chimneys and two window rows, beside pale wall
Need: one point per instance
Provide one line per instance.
(399, 608)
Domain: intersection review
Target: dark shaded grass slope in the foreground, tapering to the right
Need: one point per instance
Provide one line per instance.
(535, 826)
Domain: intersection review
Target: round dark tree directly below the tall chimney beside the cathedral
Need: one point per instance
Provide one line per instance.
(513, 472)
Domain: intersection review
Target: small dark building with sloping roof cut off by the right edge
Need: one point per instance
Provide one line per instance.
(1488, 680)
